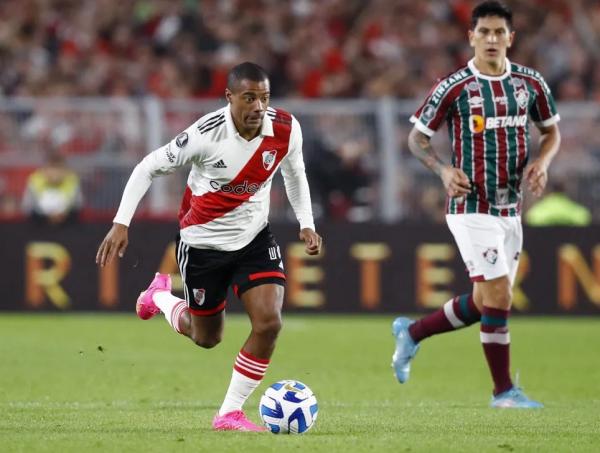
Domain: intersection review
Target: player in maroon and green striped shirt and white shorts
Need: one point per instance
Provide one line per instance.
(486, 105)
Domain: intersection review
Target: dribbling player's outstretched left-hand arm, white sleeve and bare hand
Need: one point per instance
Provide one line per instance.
(162, 161)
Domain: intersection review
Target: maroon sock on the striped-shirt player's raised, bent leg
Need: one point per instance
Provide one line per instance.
(455, 314)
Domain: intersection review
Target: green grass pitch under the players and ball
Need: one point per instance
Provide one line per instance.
(74, 383)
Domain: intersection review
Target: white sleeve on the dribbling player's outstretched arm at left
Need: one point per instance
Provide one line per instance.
(185, 148)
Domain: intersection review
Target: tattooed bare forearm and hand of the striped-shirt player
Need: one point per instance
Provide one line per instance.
(454, 179)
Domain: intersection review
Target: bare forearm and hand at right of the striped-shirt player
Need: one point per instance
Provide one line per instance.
(536, 173)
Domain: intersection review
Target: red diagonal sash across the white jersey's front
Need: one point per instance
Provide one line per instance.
(213, 205)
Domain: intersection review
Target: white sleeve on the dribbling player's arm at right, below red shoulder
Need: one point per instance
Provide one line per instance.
(294, 178)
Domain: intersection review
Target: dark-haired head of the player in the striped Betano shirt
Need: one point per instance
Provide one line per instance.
(491, 31)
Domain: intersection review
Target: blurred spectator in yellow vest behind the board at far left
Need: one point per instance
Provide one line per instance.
(53, 194)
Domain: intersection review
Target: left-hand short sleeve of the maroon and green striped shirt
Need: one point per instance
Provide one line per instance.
(433, 111)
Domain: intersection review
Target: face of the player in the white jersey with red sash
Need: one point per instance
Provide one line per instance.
(249, 101)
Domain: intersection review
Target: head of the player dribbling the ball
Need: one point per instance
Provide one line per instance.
(248, 92)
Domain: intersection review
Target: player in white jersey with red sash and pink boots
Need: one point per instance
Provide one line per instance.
(224, 237)
